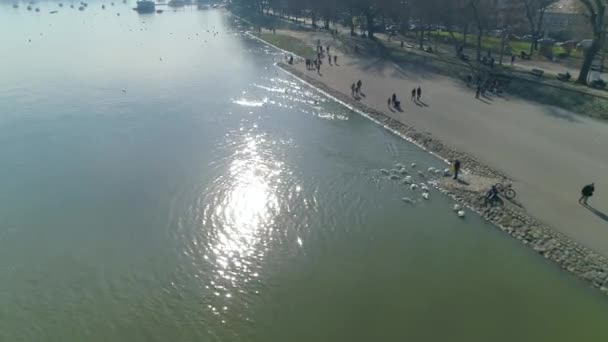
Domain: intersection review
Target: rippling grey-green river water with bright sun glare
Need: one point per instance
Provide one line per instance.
(204, 203)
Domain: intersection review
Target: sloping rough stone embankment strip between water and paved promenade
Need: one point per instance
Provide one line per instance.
(509, 217)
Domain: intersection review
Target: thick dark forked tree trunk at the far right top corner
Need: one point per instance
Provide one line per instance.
(595, 11)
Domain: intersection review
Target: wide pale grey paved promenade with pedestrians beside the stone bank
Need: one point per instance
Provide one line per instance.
(549, 152)
